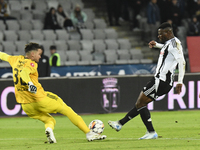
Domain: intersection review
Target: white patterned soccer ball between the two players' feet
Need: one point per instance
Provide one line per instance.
(96, 126)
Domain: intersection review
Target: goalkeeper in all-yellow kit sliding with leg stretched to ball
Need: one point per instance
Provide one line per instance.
(36, 102)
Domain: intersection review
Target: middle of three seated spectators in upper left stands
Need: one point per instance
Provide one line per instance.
(64, 19)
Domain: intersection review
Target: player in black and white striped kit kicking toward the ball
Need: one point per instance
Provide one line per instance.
(171, 55)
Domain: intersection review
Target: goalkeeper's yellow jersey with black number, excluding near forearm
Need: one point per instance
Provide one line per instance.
(21, 88)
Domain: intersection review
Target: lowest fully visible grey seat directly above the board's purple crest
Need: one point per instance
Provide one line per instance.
(111, 56)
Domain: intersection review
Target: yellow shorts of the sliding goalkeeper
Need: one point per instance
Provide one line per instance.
(50, 104)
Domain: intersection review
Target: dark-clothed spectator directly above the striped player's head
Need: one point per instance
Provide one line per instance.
(175, 13)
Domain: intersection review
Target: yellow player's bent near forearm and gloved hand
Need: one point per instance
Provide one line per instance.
(24, 74)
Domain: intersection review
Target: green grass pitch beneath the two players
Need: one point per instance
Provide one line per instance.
(177, 130)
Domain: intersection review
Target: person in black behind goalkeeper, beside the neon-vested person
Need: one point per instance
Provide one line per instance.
(44, 69)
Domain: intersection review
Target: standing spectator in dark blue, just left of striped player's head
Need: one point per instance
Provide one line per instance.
(153, 18)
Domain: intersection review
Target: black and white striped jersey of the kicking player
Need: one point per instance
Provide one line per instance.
(171, 54)
